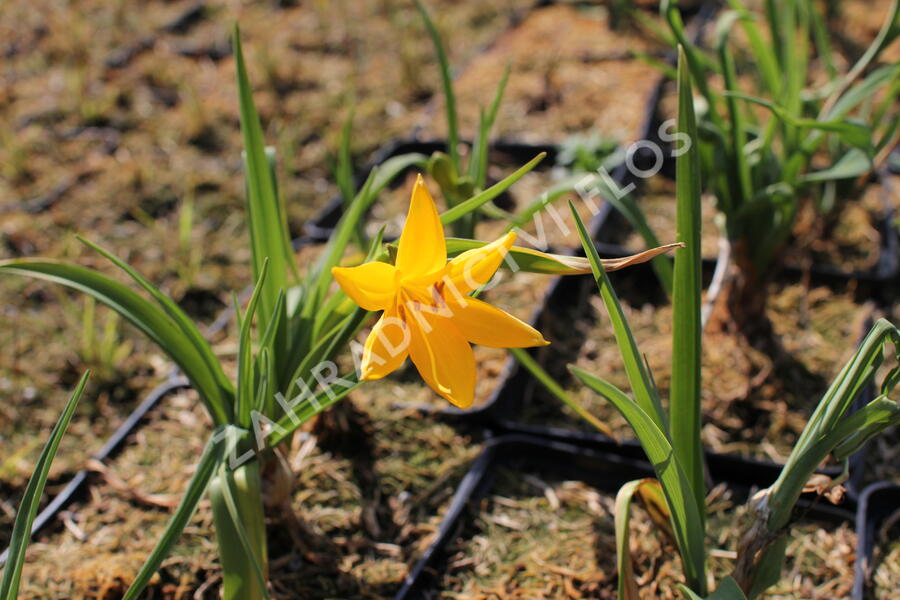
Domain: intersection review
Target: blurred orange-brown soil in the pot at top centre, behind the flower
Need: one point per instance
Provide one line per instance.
(570, 71)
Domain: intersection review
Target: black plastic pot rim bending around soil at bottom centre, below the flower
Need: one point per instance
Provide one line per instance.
(533, 458)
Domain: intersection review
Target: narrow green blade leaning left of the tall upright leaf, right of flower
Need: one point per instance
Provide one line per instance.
(642, 386)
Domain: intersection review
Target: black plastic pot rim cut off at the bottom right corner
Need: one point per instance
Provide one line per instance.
(878, 503)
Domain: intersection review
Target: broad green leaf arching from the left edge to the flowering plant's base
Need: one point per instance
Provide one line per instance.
(143, 314)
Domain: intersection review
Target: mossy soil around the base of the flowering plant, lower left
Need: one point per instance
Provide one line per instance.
(367, 493)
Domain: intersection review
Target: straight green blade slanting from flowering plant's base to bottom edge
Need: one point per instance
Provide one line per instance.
(206, 467)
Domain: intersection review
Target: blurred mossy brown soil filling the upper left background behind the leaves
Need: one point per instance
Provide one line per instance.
(124, 123)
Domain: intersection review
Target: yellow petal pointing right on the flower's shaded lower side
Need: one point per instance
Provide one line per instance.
(486, 325)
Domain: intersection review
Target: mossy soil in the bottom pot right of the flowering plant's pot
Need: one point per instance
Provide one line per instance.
(537, 536)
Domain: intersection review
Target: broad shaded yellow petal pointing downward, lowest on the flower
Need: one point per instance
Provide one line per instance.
(443, 357)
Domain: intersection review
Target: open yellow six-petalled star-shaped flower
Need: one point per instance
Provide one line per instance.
(428, 314)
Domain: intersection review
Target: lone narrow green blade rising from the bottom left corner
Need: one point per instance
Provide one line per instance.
(21, 533)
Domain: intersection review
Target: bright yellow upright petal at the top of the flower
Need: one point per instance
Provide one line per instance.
(422, 248)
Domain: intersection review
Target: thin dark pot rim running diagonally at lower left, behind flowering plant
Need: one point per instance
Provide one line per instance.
(110, 448)
